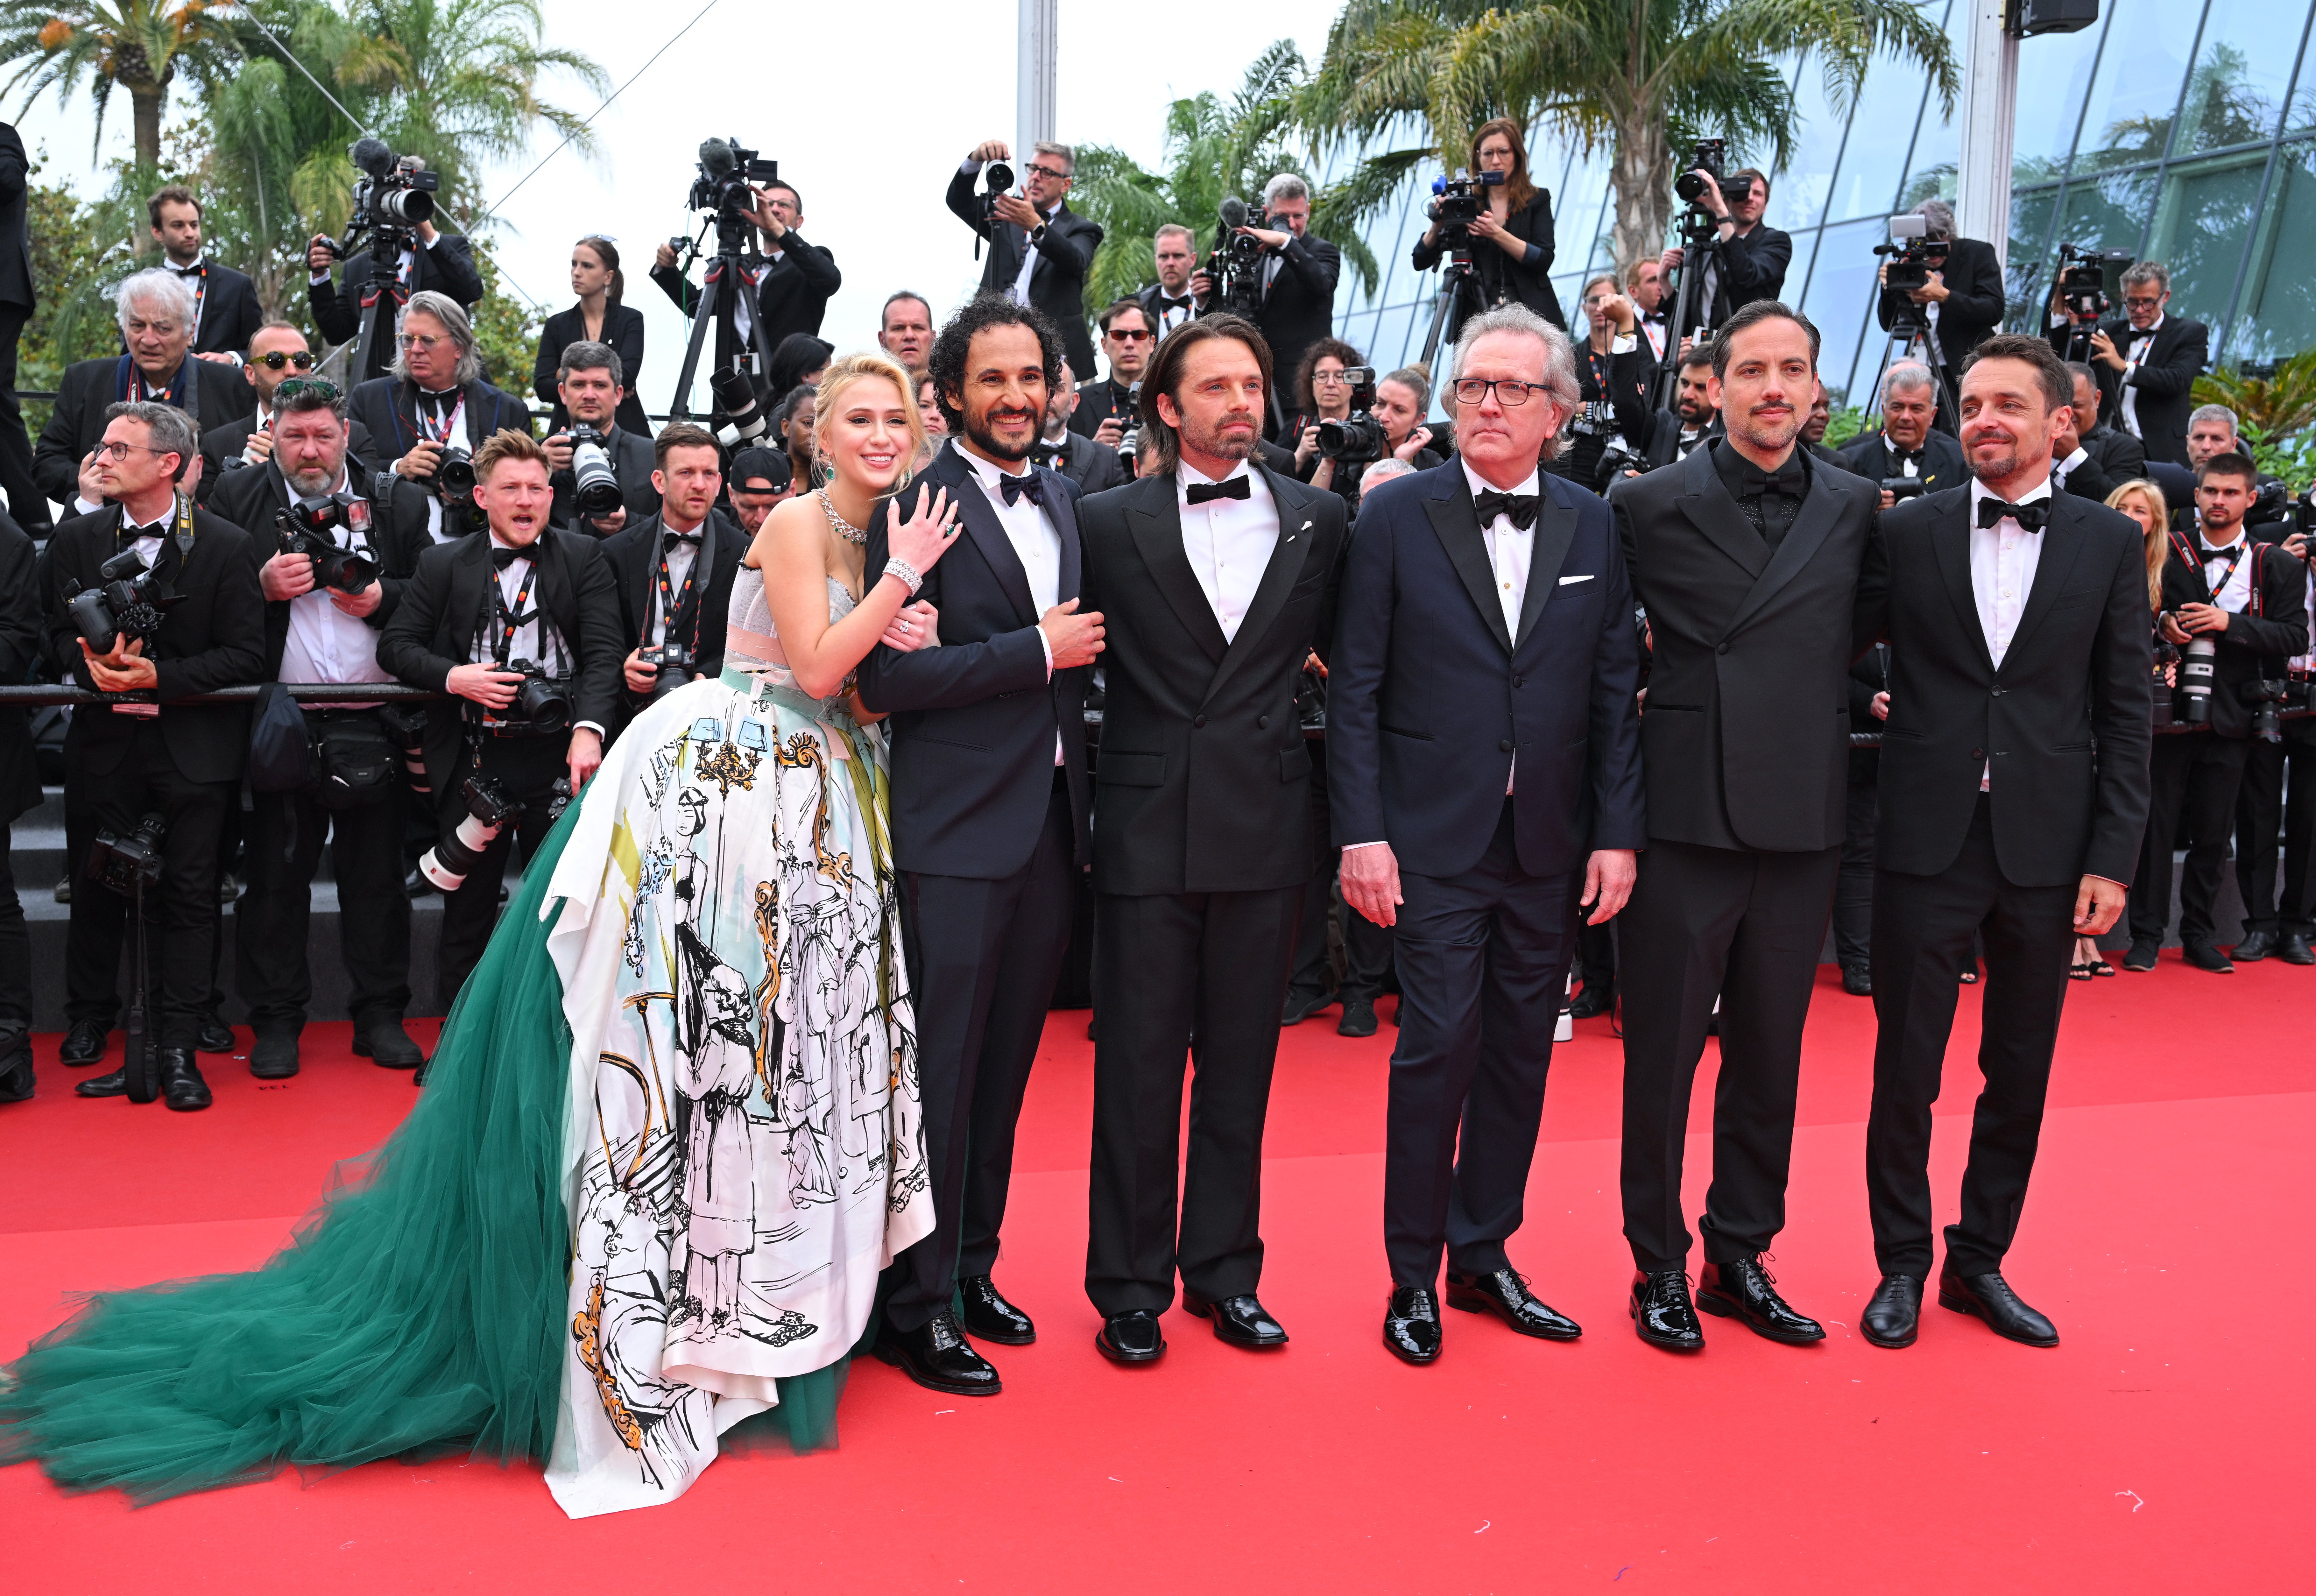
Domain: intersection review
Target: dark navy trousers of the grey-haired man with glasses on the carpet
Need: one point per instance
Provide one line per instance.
(1483, 962)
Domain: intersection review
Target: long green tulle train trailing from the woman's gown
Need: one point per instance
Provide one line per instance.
(423, 1310)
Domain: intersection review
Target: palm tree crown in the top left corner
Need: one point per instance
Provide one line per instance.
(133, 45)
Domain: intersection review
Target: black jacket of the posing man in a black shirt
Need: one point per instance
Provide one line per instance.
(1747, 731)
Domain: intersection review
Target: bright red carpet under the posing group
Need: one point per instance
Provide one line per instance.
(2160, 1449)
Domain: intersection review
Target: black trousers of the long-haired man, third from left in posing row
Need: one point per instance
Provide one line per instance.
(1173, 974)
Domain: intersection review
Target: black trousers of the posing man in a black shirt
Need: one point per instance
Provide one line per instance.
(1743, 928)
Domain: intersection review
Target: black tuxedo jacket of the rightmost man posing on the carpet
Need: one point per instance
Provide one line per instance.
(2067, 722)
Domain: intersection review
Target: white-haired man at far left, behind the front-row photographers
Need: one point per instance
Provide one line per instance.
(156, 321)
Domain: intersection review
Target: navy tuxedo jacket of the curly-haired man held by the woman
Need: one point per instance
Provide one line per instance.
(974, 719)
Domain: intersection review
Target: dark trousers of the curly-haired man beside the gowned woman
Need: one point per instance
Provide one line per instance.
(983, 960)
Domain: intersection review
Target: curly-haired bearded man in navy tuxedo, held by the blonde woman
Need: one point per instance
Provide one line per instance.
(990, 817)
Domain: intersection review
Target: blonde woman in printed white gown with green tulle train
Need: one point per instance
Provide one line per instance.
(670, 1132)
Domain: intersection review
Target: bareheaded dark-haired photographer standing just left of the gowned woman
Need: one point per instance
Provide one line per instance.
(675, 571)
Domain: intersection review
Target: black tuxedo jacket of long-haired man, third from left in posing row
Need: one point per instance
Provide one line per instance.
(1205, 779)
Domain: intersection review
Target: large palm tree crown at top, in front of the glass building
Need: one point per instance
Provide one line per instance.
(1632, 75)
